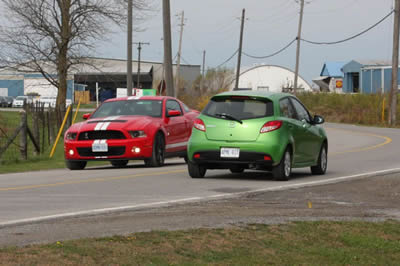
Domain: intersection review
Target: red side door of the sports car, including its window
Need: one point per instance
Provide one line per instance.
(176, 127)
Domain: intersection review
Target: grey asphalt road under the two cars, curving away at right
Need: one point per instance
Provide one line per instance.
(354, 152)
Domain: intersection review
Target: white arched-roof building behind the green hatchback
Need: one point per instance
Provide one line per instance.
(270, 78)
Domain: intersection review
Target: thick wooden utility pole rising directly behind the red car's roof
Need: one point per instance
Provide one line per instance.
(167, 48)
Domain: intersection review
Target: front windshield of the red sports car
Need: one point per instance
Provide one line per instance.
(129, 107)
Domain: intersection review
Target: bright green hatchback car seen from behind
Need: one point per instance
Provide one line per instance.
(241, 130)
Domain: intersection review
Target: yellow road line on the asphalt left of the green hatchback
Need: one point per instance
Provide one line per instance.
(92, 180)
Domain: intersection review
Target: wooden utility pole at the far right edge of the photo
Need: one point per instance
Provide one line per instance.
(395, 65)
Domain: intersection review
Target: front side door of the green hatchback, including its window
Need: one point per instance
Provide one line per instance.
(308, 134)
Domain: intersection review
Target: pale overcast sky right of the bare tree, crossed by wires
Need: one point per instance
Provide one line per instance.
(213, 25)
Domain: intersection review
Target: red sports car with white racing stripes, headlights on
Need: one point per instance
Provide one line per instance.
(148, 128)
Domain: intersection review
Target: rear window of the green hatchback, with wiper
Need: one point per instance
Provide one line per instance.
(239, 108)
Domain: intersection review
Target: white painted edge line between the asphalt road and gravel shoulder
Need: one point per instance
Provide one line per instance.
(193, 199)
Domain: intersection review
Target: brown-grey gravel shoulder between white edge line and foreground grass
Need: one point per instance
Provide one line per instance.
(370, 199)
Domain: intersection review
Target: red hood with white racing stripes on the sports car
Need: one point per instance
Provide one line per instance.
(115, 123)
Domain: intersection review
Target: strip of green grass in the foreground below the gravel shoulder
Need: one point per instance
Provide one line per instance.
(300, 243)
